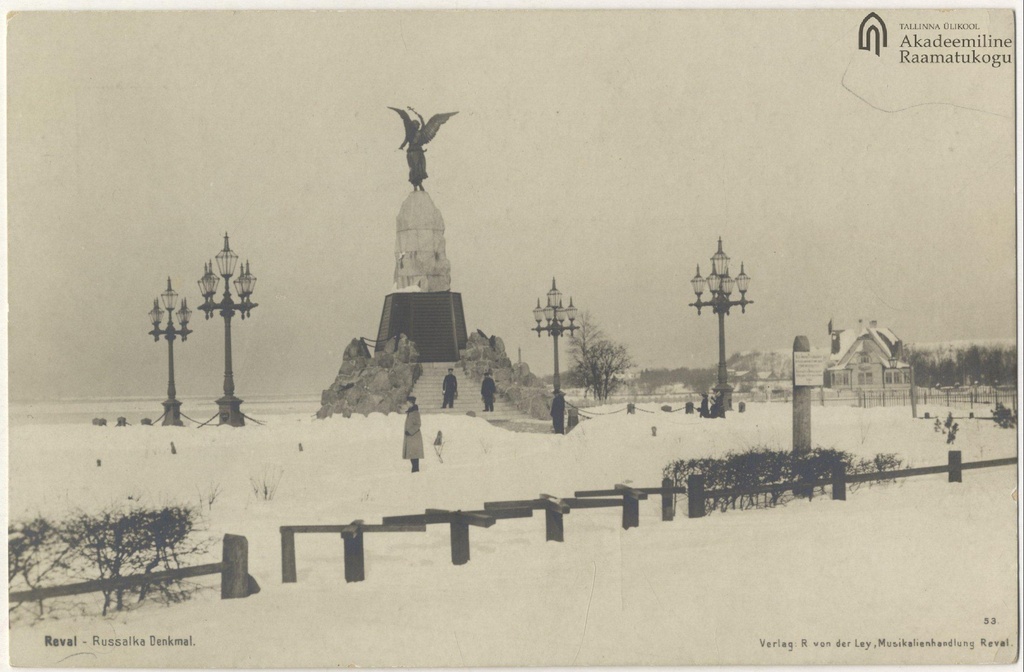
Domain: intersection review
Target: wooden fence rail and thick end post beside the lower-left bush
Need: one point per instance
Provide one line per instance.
(234, 571)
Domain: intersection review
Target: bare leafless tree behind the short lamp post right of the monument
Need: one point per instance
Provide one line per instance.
(598, 362)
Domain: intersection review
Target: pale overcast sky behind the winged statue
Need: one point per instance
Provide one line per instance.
(608, 149)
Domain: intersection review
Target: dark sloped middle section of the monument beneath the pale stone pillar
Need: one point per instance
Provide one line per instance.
(435, 321)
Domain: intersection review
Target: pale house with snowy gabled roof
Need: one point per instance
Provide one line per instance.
(867, 358)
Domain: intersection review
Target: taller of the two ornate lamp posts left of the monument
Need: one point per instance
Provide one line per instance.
(230, 406)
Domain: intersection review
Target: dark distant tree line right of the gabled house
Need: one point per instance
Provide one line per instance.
(951, 366)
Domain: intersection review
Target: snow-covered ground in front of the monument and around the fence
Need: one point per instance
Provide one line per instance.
(919, 561)
